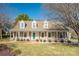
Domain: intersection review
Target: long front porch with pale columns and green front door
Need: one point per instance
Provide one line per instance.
(39, 35)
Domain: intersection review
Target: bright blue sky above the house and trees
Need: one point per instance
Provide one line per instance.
(33, 10)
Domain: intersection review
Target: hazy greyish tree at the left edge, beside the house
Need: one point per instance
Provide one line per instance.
(5, 24)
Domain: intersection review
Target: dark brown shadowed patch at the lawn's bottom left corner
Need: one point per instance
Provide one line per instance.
(7, 51)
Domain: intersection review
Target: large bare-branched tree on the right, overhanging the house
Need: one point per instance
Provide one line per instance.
(69, 12)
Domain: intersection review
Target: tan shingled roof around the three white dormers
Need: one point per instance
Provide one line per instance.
(51, 26)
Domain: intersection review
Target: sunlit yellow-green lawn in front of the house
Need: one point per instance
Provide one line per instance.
(43, 49)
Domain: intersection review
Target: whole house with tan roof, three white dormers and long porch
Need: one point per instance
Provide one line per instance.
(39, 30)
